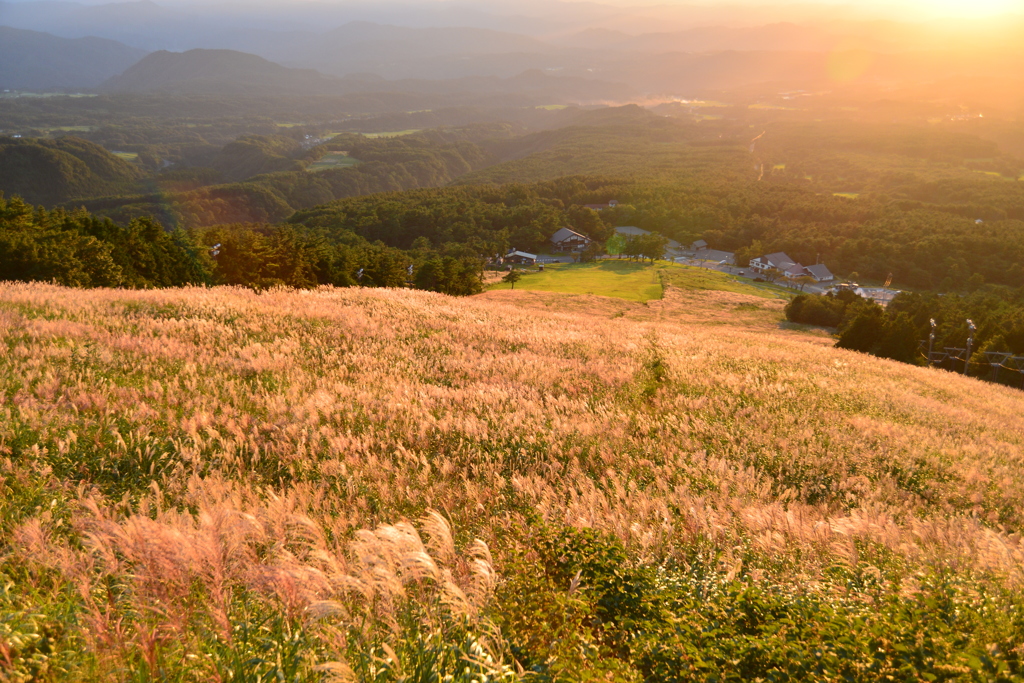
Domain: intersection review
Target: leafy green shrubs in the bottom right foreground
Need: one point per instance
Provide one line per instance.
(584, 611)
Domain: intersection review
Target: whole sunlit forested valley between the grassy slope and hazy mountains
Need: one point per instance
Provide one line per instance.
(936, 208)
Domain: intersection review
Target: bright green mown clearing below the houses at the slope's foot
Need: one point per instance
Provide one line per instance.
(630, 280)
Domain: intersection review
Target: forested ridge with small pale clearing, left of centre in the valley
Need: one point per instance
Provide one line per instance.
(277, 183)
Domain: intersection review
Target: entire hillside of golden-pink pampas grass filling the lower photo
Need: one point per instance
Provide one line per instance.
(381, 485)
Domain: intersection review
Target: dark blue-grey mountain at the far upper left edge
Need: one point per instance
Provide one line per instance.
(31, 61)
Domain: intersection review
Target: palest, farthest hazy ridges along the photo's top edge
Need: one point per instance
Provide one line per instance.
(150, 26)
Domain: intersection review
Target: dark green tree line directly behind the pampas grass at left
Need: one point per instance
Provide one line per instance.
(80, 250)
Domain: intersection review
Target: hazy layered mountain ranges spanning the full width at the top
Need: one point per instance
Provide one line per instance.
(596, 57)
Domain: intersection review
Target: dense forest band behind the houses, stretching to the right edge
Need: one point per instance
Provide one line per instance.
(924, 246)
